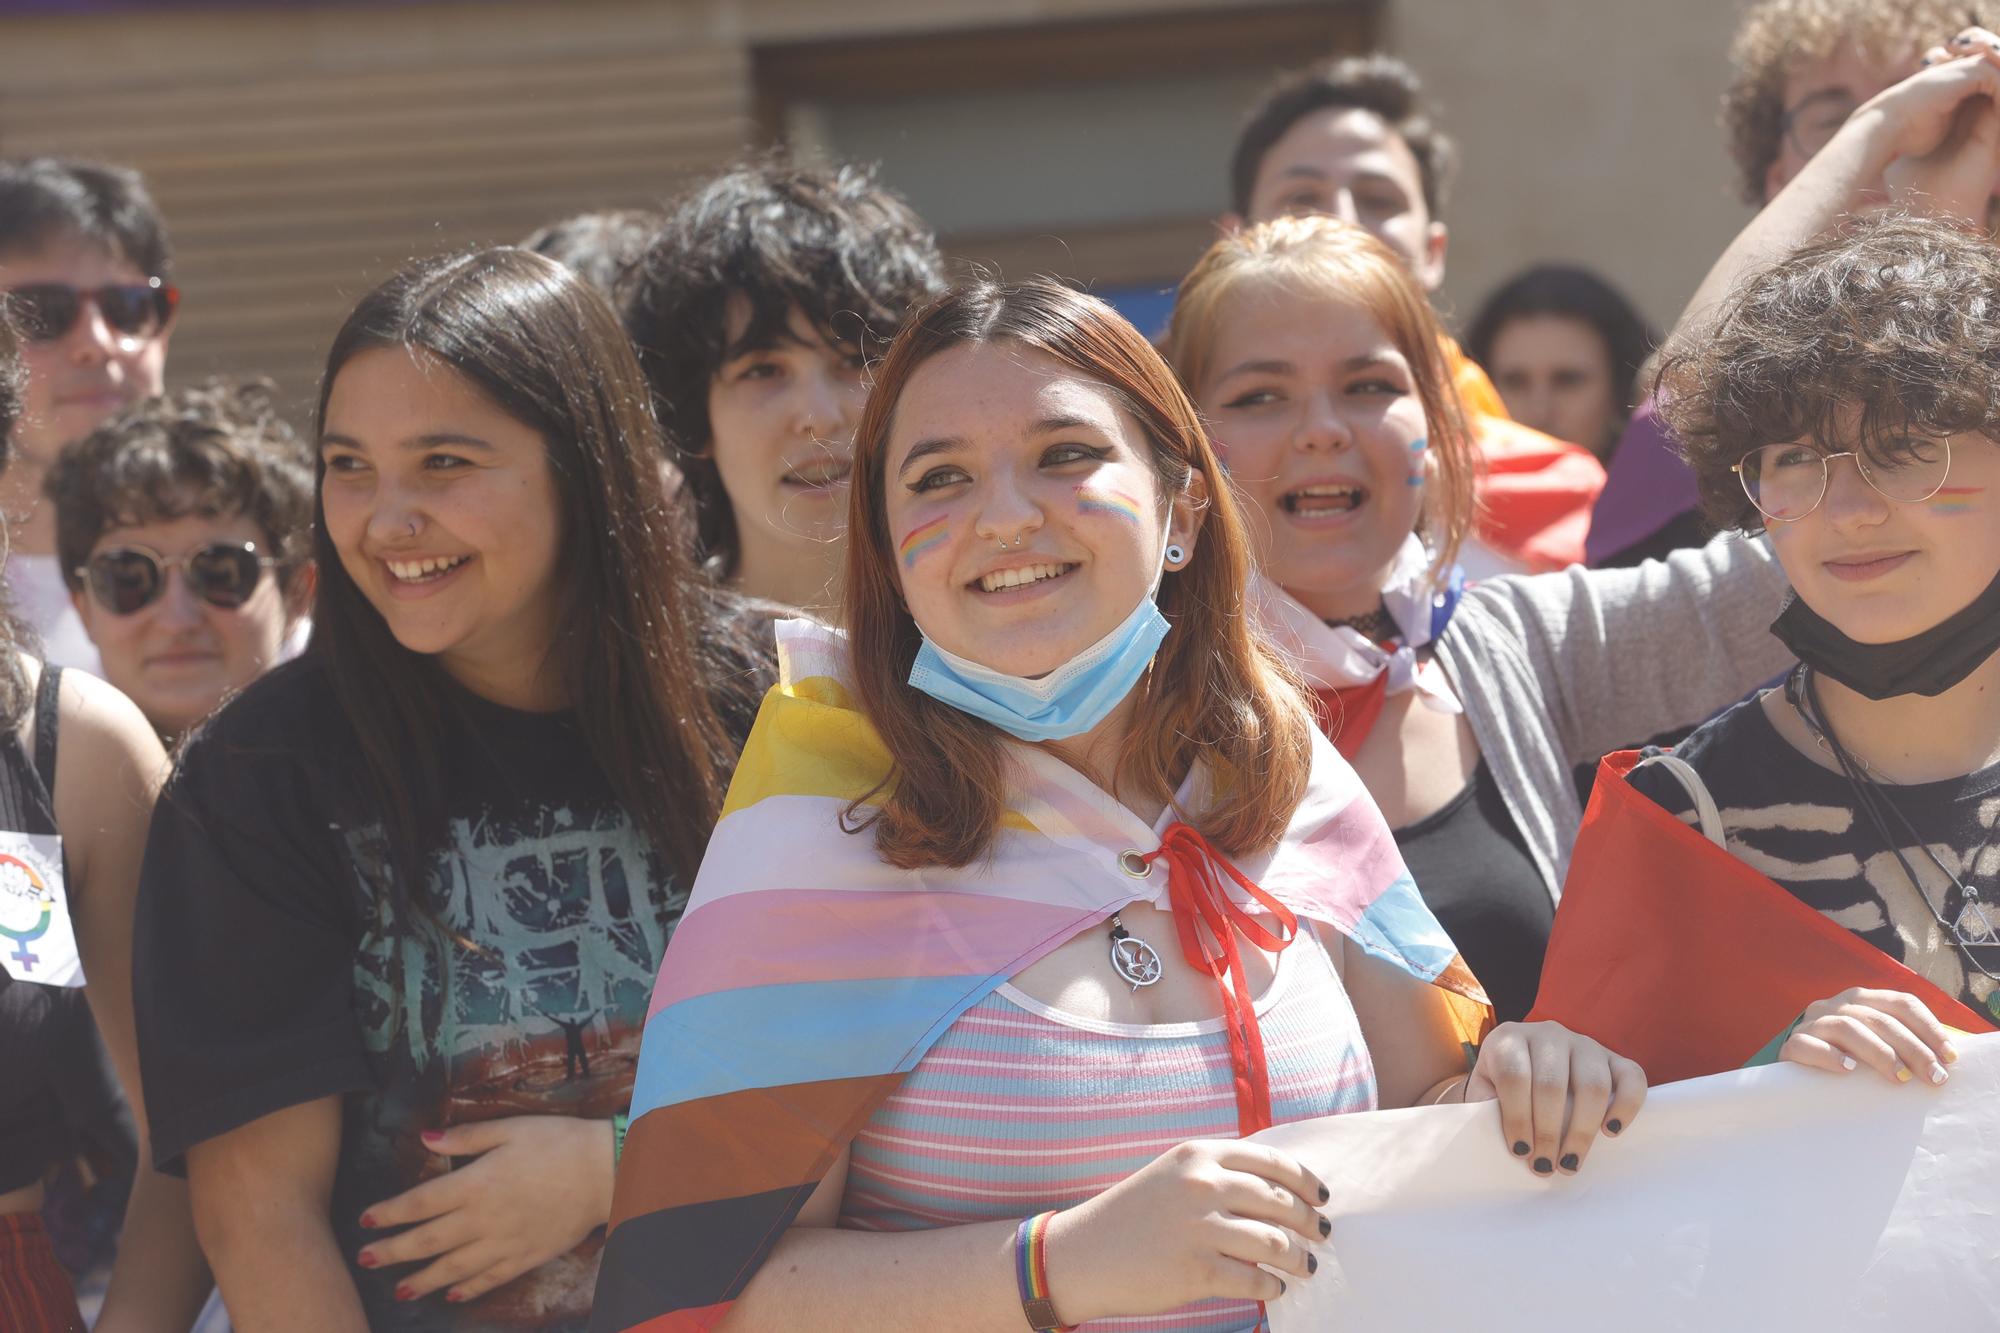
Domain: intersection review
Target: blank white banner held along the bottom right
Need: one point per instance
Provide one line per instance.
(1765, 1200)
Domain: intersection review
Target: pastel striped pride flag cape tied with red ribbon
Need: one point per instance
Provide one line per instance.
(809, 978)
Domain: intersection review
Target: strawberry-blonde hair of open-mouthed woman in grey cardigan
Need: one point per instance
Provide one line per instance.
(1337, 261)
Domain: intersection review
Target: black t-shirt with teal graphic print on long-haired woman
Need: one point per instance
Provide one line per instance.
(273, 972)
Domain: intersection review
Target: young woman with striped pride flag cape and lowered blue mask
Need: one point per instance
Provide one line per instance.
(985, 980)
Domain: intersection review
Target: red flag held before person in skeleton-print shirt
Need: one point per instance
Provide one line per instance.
(1685, 960)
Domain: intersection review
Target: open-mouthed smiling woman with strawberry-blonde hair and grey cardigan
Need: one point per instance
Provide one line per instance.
(1315, 361)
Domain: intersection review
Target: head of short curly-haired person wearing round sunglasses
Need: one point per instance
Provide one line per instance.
(185, 529)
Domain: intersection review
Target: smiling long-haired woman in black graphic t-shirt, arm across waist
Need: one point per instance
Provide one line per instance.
(405, 904)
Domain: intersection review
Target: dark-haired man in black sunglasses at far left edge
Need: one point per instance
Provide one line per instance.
(87, 277)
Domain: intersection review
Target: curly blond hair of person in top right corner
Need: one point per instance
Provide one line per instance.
(1779, 37)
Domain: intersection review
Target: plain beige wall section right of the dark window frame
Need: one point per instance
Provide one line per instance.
(1591, 135)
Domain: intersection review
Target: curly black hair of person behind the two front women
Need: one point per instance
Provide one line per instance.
(839, 247)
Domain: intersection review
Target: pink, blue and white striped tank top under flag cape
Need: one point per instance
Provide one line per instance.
(1021, 1108)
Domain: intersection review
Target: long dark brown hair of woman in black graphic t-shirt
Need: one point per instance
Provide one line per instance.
(549, 351)
